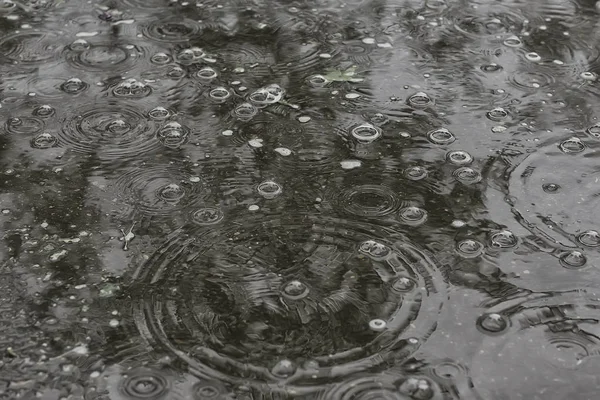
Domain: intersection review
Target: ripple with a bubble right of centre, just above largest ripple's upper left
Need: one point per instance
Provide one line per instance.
(162, 190)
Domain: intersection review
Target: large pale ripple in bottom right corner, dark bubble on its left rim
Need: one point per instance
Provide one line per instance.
(557, 332)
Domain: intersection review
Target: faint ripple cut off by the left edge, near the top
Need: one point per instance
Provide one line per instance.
(30, 47)
